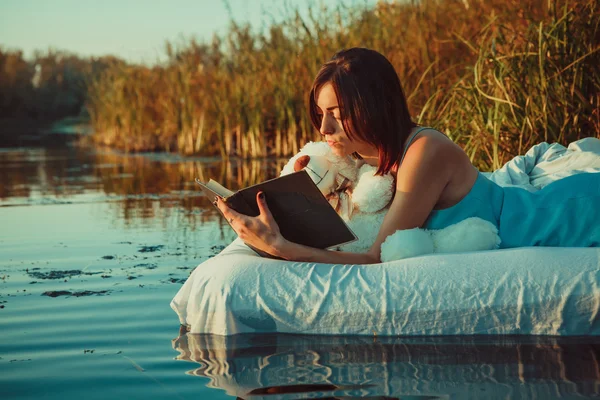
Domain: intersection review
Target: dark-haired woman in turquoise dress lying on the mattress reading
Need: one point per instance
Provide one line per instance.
(358, 105)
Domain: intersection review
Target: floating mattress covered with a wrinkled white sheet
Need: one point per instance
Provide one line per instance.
(532, 291)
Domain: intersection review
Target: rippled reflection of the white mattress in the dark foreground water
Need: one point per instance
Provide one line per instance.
(287, 366)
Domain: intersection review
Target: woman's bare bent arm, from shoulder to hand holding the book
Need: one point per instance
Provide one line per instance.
(420, 182)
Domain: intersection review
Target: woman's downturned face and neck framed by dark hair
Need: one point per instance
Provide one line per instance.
(331, 126)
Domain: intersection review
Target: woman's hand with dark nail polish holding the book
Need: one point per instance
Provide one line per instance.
(261, 231)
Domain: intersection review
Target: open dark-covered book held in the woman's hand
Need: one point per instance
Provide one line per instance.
(302, 212)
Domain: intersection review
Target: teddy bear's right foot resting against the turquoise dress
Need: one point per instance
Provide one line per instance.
(471, 234)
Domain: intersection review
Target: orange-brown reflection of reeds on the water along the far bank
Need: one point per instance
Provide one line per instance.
(140, 183)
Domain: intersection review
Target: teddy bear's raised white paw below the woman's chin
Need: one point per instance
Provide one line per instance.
(372, 192)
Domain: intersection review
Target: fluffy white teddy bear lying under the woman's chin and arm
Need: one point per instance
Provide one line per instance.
(361, 198)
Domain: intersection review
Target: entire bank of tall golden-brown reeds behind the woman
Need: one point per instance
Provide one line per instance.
(497, 76)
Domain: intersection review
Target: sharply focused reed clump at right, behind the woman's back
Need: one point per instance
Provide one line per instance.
(525, 87)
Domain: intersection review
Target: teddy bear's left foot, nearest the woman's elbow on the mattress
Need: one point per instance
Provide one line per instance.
(406, 243)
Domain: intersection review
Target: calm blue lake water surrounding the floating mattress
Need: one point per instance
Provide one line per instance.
(93, 246)
